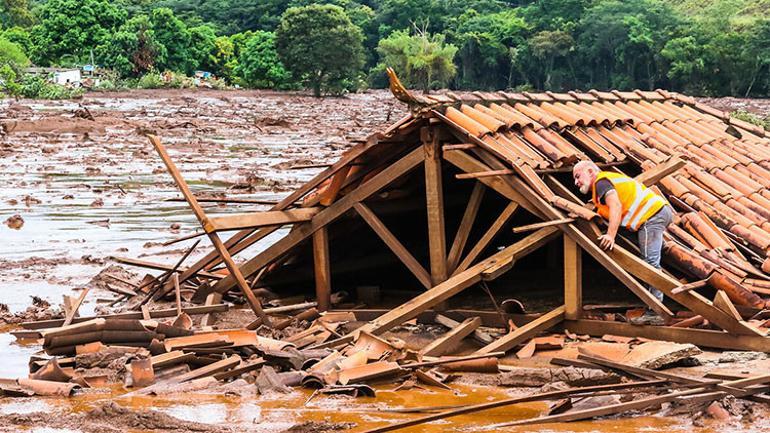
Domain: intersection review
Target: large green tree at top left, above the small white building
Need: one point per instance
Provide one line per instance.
(73, 28)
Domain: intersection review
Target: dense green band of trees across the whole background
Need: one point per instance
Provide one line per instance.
(705, 47)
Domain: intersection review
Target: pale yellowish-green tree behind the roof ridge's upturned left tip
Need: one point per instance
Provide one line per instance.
(422, 60)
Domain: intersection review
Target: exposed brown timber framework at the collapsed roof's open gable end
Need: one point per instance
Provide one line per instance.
(344, 188)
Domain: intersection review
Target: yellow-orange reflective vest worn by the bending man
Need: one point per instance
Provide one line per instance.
(639, 203)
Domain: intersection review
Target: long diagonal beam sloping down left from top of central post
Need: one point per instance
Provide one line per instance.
(341, 206)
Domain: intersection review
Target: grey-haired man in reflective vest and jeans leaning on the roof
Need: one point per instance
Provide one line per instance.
(626, 203)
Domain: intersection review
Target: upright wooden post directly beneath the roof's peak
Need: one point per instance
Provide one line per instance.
(435, 206)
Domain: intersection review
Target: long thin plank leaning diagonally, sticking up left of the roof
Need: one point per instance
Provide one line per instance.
(224, 254)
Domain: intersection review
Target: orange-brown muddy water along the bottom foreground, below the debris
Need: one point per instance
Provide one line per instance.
(276, 413)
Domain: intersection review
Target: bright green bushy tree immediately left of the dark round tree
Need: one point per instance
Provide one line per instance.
(258, 63)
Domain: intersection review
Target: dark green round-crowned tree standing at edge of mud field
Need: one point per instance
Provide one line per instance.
(321, 45)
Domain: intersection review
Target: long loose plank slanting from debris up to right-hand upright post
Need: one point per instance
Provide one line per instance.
(449, 288)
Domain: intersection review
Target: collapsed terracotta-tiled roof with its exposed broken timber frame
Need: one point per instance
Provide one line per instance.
(713, 169)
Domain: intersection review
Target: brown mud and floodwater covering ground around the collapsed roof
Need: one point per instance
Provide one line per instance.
(81, 183)
